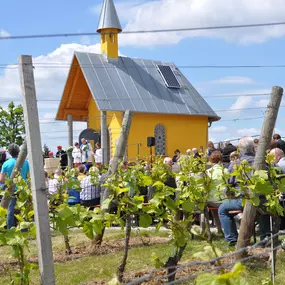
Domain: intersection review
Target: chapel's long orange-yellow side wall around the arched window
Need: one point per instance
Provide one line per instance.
(182, 132)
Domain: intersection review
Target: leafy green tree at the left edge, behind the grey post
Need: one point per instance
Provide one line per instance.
(12, 125)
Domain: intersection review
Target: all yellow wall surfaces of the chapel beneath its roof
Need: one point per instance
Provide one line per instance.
(181, 131)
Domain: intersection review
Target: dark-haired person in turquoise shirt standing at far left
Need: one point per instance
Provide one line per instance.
(6, 172)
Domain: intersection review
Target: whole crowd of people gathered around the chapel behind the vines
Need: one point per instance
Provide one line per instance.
(221, 158)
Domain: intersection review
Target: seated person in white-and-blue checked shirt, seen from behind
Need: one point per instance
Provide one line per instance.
(90, 194)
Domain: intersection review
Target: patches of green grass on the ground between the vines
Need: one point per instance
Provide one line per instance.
(103, 267)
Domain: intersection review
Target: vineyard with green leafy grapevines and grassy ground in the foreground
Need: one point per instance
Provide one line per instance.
(103, 246)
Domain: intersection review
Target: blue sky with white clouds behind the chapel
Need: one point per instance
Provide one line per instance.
(225, 89)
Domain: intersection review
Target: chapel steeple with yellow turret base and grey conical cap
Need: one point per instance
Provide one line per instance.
(109, 27)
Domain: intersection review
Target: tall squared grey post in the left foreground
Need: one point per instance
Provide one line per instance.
(33, 136)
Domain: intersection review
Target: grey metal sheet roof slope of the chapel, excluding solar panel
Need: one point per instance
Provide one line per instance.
(135, 84)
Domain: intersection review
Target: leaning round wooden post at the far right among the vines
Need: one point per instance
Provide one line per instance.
(249, 212)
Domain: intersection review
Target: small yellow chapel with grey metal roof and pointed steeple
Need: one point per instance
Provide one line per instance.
(100, 87)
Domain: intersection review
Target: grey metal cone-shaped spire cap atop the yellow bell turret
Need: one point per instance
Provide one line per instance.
(109, 18)
